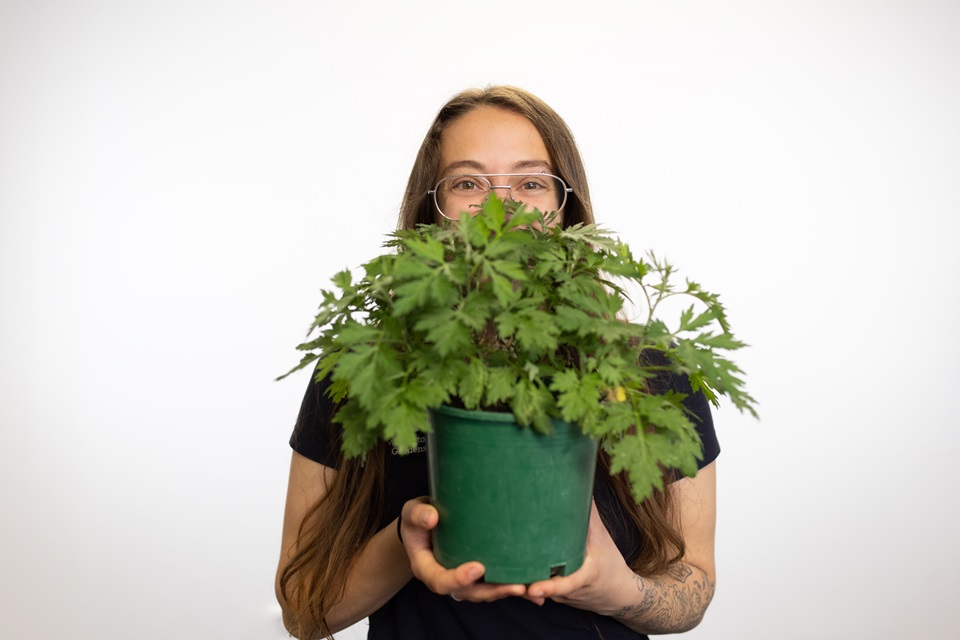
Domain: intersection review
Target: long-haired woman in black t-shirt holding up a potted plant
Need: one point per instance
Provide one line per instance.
(356, 537)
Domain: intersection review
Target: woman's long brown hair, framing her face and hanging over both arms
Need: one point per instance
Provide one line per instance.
(337, 528)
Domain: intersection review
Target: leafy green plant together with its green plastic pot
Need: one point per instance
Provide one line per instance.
(505, 325)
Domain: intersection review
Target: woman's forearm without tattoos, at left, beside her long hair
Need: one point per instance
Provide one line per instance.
(378, 573)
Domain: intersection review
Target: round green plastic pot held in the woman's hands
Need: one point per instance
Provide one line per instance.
(515, 500)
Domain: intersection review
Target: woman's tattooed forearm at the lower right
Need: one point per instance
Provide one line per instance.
(673, 602)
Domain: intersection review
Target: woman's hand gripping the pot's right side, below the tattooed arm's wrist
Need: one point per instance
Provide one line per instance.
(603, 573)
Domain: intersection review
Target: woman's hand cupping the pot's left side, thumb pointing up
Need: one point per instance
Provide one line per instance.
(418, 519)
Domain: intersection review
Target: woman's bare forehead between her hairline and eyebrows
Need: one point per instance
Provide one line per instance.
(493, 139)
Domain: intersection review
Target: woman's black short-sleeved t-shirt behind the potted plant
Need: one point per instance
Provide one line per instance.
(415, 612)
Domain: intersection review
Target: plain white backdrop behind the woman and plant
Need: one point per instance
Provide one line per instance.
(179, 179)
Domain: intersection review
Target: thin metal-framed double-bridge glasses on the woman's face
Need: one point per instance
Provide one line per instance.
(455, 194)
